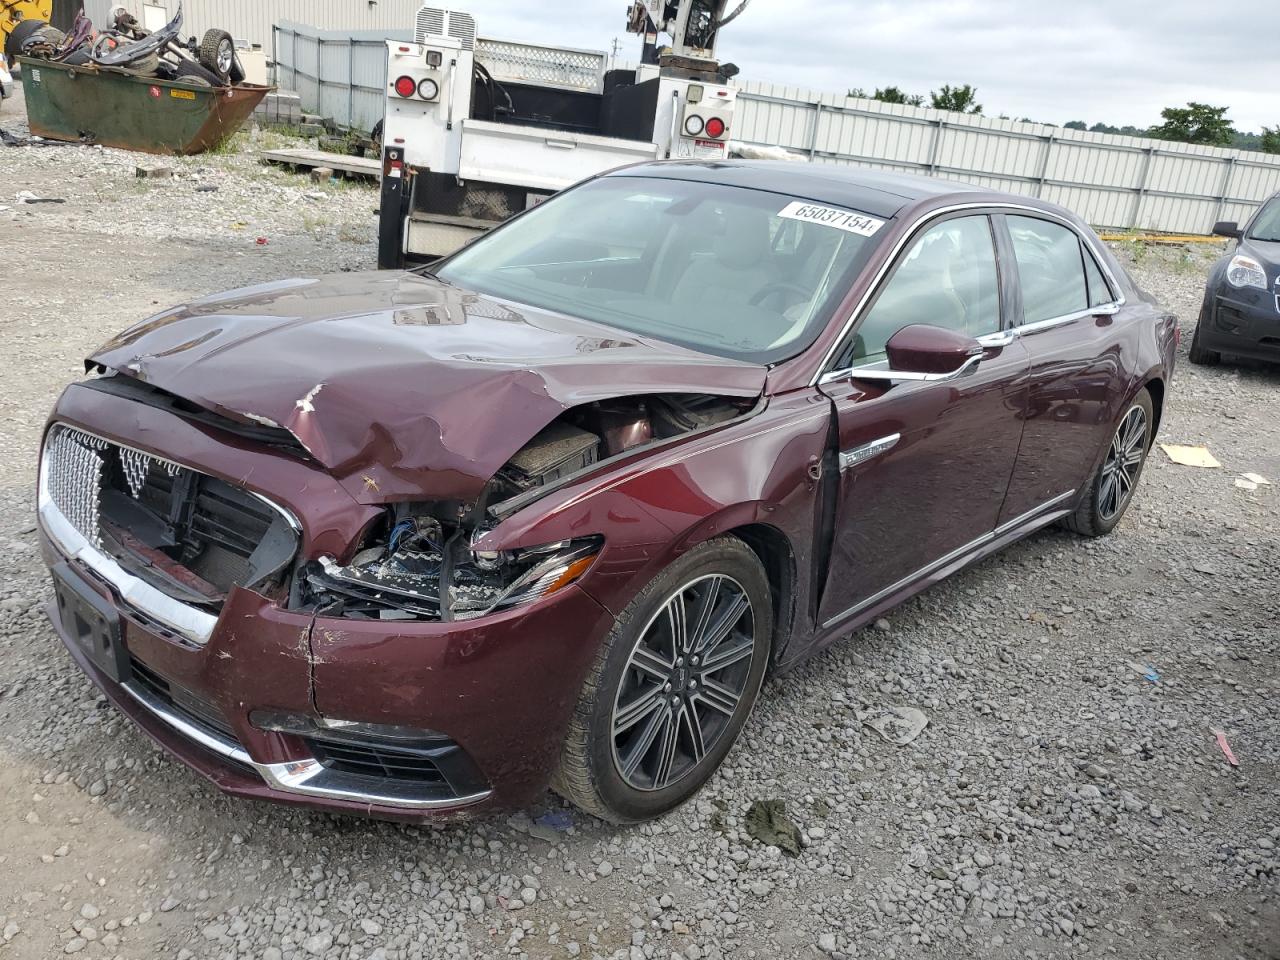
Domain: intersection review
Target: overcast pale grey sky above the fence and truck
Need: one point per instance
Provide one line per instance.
(1116, 62)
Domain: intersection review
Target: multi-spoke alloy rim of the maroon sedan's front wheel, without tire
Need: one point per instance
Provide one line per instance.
(683, 683)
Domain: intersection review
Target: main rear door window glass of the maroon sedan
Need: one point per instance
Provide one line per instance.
(1050, 267)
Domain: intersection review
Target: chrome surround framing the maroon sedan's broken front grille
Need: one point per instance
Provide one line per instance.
(190, 623)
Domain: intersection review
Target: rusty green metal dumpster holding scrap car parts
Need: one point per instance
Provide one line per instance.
(111, 107)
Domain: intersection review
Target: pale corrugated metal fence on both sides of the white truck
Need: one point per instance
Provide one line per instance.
(1114, 182)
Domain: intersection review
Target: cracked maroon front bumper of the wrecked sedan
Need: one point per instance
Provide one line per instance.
(501, 689)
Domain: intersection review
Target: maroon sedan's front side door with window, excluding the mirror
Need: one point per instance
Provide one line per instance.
(925, 465)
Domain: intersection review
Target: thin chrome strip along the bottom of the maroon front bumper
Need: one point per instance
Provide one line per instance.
(305, 778)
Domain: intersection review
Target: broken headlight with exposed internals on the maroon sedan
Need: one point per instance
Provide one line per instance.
(418, 575)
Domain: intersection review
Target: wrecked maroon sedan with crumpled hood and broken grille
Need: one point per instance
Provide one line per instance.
(417, 545)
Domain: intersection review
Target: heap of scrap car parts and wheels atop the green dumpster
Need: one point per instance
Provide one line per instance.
(211, 62)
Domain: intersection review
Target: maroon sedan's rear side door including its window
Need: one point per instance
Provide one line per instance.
(1068, 323)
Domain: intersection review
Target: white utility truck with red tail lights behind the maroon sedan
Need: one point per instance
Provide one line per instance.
(477, 131)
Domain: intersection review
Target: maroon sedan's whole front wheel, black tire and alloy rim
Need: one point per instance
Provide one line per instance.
(671, 688)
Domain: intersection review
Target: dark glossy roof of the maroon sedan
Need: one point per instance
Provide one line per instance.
(871, 191)
